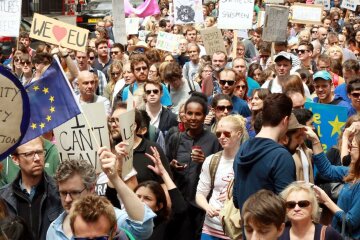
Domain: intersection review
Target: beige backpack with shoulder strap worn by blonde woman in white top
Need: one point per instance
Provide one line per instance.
(229, 215)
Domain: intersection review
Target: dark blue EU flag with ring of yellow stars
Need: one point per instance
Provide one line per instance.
(51, 102)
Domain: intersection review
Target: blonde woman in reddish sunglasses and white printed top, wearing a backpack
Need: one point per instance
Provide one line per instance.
(229, 132)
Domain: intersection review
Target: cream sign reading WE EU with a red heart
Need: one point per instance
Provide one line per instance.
(59, 33)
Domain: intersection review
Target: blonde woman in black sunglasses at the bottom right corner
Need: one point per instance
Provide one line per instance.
(302, 211)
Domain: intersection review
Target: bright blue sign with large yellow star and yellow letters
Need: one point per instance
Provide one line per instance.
(328, 121)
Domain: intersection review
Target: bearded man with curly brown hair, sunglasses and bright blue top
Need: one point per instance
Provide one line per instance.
(140, 68)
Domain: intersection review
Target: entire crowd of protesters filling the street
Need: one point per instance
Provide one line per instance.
(207, 126)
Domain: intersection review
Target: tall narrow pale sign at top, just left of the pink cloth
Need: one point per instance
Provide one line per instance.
(119, 28)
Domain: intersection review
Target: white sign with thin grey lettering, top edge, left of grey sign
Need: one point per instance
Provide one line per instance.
(235, 14)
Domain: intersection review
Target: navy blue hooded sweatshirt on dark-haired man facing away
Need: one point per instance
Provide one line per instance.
(261, 163)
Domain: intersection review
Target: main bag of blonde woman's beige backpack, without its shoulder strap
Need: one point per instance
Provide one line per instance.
(230, 216)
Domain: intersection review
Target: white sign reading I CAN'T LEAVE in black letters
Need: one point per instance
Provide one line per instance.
(79, 137)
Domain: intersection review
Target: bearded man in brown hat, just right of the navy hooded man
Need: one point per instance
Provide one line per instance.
(294, 140)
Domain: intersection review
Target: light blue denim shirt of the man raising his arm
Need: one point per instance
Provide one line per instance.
(140, 230)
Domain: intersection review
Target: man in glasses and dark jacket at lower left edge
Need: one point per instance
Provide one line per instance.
(32, 195)
